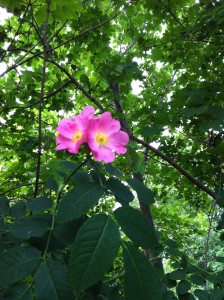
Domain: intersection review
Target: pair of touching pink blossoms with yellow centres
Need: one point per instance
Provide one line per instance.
(102, 134)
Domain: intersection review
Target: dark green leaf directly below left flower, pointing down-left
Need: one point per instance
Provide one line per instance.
(78, 201)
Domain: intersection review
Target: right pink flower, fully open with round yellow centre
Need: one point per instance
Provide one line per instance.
(105, 138)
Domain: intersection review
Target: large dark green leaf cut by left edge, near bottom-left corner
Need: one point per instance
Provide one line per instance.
(17, 263)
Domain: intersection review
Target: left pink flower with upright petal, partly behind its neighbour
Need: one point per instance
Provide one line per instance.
(72, 132)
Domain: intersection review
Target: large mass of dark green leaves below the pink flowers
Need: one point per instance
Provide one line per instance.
(79, 241)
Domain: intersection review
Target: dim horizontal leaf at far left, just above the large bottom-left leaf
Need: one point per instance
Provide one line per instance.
(28, 227)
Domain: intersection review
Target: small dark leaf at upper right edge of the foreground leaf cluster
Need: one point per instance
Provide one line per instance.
(144, 194)
